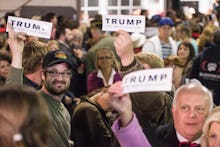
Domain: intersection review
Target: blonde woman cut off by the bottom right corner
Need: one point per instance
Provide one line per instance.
(211, 129)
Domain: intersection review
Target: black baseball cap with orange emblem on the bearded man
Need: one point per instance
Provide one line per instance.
(56, 57)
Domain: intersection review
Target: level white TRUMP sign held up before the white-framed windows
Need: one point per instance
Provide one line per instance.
(129, 23)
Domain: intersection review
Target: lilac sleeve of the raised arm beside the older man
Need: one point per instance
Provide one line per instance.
(131, 135)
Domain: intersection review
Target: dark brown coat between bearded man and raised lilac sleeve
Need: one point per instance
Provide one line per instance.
(91, 127)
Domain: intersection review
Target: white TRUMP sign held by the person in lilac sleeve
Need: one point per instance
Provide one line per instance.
(148, 80)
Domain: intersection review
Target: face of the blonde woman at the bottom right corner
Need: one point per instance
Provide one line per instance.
(214, 135)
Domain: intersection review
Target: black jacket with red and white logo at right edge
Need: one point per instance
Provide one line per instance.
(206, 68)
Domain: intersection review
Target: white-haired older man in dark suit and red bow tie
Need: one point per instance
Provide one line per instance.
(191, 105)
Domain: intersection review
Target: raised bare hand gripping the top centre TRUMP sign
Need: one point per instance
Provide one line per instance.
(124, 47)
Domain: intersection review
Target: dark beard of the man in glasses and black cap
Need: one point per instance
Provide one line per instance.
(54, 90)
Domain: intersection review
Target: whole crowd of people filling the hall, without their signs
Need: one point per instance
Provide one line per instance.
(66, 91)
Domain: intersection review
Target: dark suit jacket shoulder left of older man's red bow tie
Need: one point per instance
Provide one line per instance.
(166, 136)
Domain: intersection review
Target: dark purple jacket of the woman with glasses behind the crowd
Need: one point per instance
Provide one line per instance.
(94, 82)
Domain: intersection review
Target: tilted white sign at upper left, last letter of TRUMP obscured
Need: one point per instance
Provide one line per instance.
(31, 27)
